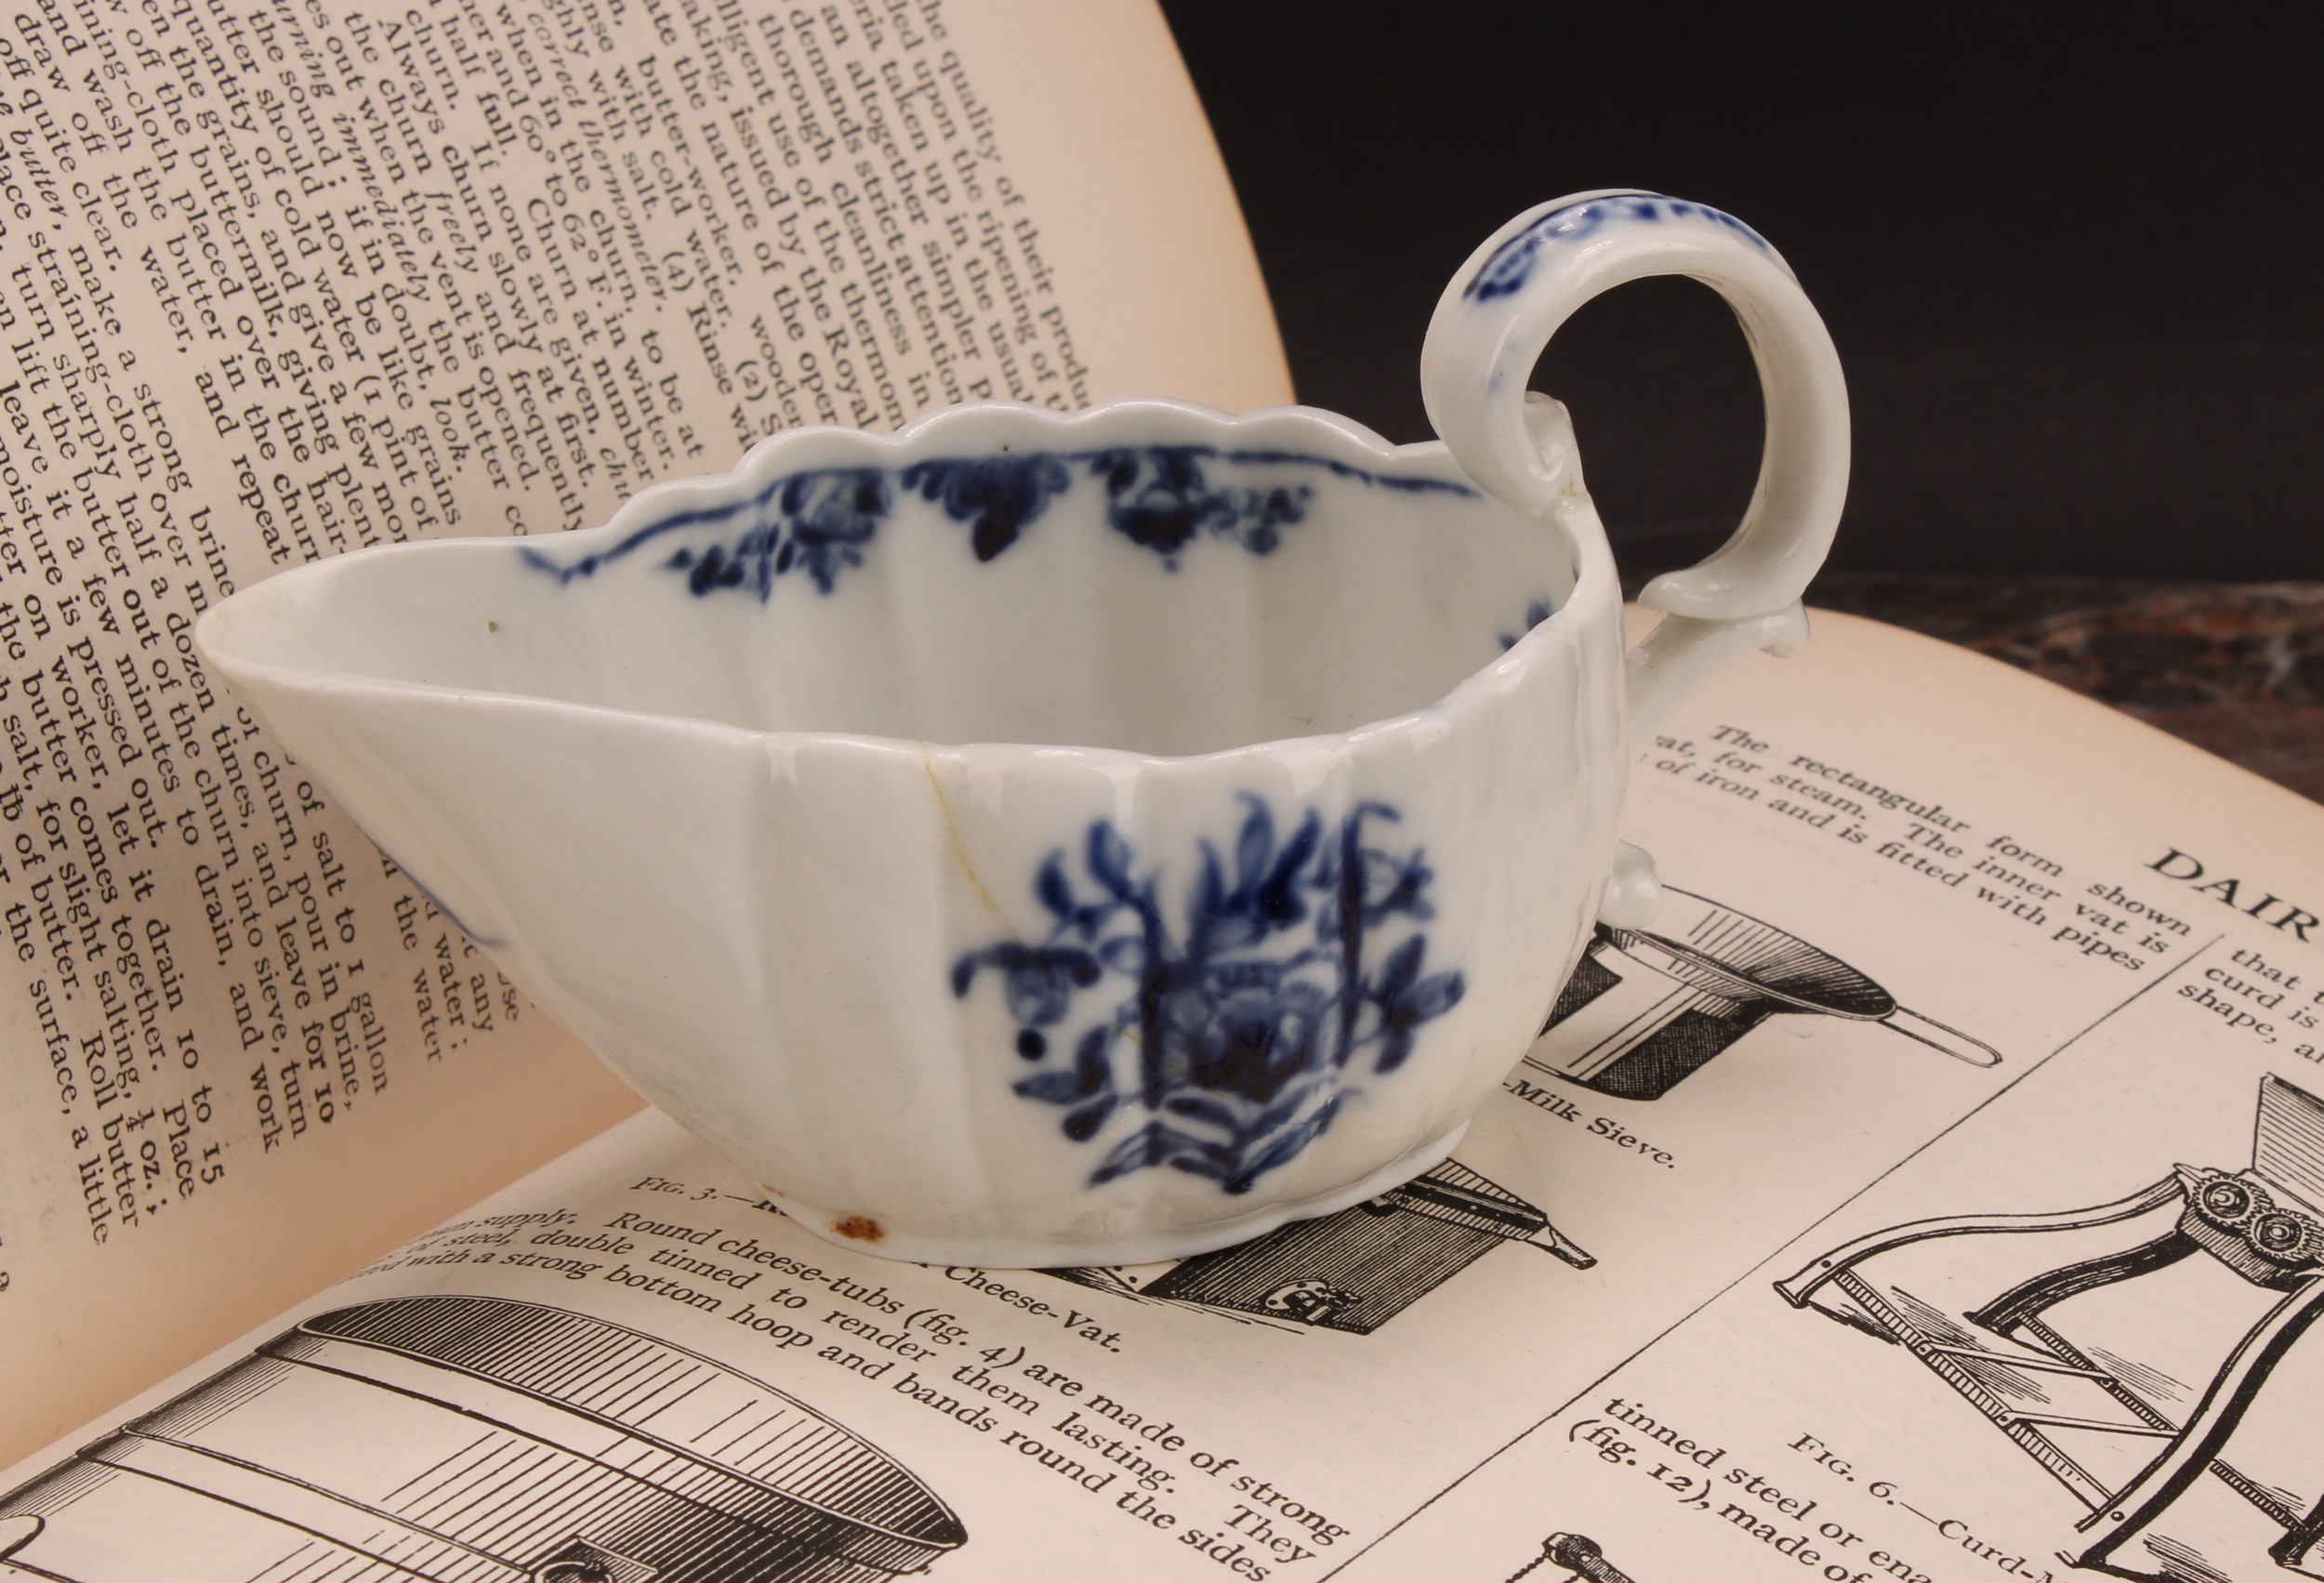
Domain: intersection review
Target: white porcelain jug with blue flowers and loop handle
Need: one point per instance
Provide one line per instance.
(1066, 840)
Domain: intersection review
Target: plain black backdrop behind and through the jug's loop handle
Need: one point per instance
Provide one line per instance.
(2072, 257)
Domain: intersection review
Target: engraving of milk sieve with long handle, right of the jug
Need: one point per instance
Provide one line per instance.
(1649, 1008)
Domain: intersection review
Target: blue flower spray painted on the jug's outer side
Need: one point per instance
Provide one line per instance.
(1233, 1026)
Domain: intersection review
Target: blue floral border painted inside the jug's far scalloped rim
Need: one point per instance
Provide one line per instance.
(822, 522)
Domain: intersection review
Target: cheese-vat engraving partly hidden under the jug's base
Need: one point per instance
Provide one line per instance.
(1354, 1270)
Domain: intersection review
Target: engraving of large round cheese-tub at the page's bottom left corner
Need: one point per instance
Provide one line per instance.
(473, 1440)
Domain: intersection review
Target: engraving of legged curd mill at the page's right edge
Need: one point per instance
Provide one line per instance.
(2156, 1354)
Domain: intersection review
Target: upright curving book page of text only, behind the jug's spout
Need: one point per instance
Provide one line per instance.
(280, 282)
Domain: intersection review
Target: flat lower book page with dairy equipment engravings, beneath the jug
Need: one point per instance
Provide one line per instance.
(1942, 940)
